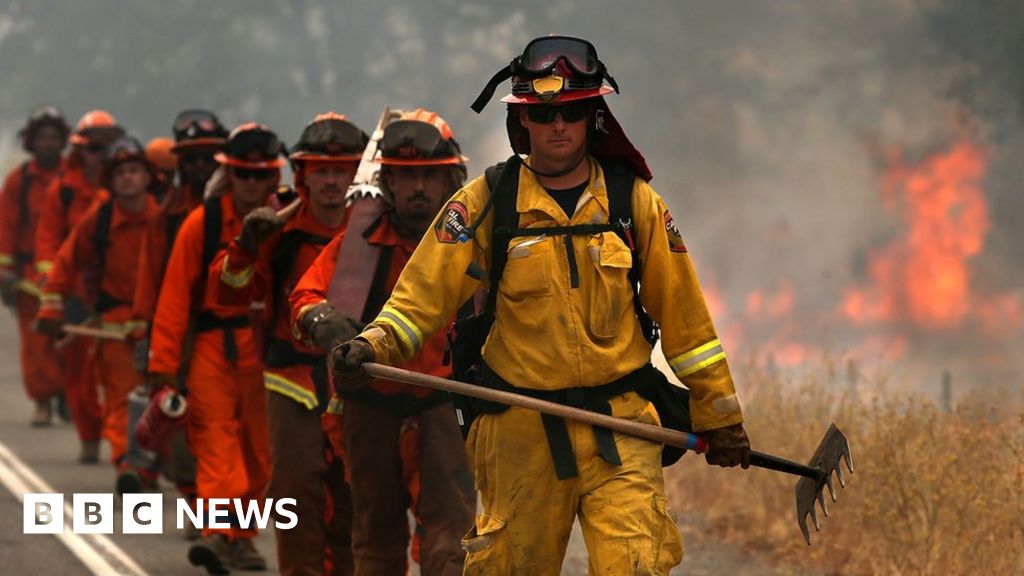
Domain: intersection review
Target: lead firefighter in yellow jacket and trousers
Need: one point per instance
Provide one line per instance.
(567, 327)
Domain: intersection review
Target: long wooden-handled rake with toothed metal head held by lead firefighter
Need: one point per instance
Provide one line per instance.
(816, 477)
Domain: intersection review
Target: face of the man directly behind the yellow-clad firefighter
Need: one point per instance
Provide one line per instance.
(419, 193)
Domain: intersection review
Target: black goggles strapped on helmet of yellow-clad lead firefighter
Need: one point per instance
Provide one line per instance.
(574, 59)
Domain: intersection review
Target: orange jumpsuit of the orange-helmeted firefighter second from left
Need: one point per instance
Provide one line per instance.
(56, 223)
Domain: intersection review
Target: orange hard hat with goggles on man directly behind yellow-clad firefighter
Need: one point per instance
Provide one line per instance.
(420, 138)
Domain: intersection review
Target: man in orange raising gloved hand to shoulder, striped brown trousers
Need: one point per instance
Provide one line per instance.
(265, 264)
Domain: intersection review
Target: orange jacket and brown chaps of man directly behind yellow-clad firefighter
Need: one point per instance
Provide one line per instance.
(391, 424)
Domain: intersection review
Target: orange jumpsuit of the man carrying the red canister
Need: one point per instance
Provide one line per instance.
(227, 401)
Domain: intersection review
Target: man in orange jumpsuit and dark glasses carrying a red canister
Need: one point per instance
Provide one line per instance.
(227, 402)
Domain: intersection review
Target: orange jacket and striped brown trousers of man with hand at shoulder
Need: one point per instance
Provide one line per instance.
(306, 465)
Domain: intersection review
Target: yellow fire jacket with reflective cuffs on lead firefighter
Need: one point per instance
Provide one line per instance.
(558, 327)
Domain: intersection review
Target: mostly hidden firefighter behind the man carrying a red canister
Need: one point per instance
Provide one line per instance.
(198, 136)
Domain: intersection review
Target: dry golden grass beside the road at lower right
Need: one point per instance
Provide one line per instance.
(932, 493)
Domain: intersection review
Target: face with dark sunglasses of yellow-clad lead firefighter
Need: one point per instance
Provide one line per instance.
(557, 142)
